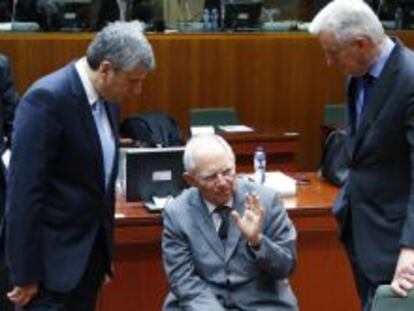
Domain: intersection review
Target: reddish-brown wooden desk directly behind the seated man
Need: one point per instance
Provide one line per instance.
(321, 280)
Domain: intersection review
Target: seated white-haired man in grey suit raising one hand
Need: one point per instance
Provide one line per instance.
(214, 263)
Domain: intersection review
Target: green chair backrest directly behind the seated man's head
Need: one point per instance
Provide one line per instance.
(213, 116)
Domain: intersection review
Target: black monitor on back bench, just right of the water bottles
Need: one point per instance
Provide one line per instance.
(242, 15)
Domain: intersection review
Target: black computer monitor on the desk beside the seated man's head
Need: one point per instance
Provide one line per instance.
(150, 172)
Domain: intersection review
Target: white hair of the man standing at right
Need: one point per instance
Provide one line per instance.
(348, 19)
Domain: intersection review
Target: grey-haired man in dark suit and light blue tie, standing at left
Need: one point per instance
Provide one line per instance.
(60, 210)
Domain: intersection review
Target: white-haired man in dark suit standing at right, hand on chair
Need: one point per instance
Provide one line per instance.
(376, 204)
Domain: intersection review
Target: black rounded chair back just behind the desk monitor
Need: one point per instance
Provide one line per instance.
(152, 130)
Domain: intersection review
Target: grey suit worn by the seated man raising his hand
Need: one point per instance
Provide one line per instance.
(203, 275)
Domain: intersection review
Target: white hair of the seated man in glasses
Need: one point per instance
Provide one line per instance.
(204, 145)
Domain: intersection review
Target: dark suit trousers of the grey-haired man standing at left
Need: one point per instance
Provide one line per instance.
(83, 296)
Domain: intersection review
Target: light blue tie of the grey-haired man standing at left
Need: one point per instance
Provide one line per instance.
(105, 137)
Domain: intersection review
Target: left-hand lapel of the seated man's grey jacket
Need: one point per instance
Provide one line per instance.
(203, 220)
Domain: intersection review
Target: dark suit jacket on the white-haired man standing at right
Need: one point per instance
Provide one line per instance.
(377, 201)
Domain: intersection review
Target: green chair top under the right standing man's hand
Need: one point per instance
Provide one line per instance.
(386, 300)
